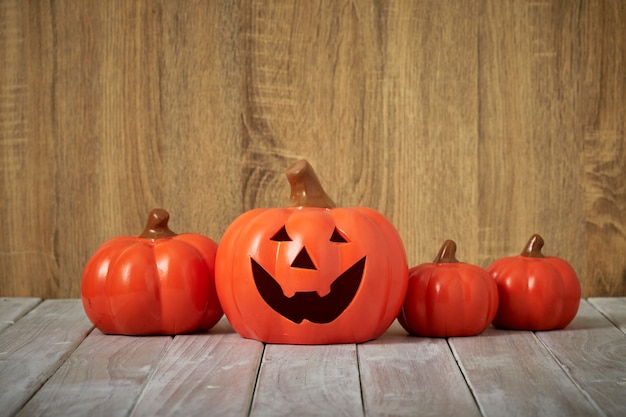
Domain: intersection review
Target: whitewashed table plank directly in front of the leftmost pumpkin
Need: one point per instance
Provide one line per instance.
(102, 377)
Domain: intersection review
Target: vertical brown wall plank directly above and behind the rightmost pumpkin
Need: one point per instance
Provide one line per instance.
(529, 157)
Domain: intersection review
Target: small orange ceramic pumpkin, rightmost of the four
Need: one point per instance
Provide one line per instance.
(536, 292)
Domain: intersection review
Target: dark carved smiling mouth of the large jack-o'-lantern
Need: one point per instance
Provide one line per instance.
(309, 305)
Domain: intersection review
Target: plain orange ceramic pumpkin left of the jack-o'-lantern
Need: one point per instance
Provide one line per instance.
(158, 282)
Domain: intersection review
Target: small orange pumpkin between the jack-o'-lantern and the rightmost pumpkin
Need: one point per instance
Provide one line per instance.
(448, 298)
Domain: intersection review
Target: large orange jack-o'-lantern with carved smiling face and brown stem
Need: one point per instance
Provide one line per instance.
(311, 273)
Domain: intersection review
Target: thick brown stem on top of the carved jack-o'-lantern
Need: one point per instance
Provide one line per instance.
(306, 189)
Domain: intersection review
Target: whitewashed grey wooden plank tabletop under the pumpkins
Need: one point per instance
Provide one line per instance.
(53, 362)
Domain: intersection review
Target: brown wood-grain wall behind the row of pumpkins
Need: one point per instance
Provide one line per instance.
(481, 121)
